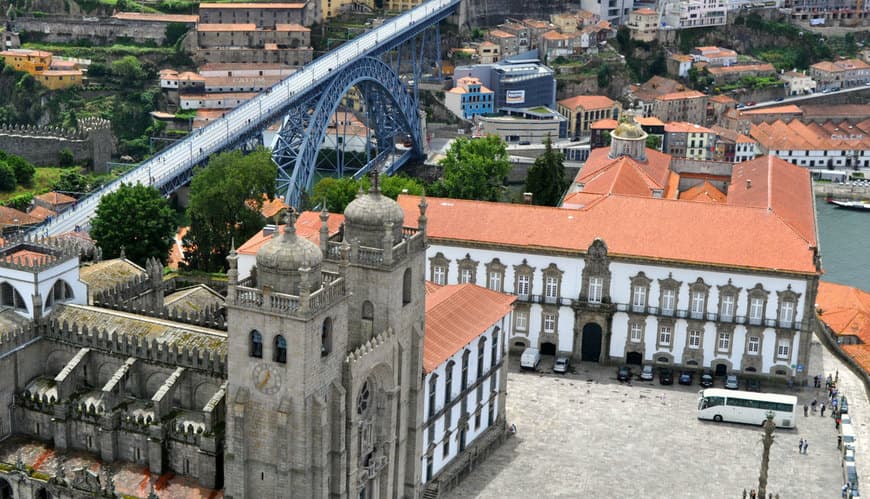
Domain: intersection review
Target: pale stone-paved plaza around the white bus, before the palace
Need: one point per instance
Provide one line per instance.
(586, 435)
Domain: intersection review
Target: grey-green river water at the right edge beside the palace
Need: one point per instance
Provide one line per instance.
(845, 245)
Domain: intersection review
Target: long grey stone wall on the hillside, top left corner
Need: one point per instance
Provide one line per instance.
(102, 31)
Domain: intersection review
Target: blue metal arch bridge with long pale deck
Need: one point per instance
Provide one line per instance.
(305, 102)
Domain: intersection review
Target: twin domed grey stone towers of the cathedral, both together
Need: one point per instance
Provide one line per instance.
(325, 366)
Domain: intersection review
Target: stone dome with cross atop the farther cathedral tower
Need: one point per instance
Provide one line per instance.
(367, 216)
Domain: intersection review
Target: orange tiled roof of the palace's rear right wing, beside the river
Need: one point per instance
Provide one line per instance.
(777, 186)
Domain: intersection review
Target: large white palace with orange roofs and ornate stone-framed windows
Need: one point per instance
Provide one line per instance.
(619, 276)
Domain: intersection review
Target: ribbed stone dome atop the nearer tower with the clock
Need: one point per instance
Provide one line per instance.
(280, 261)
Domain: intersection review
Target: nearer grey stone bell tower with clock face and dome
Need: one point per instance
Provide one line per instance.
(285, 403)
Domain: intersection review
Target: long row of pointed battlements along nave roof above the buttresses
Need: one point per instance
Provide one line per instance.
(213, 361)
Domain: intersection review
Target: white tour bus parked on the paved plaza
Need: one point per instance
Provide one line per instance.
(746, 407)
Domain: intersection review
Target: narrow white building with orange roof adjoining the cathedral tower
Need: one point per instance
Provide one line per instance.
(465, 370)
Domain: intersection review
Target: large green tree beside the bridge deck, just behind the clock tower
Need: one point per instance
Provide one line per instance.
(225, 201)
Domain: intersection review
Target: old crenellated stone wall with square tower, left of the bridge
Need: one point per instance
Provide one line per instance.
(93, 143)
